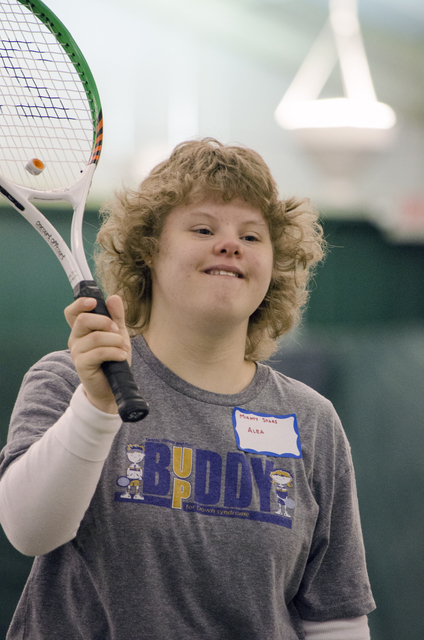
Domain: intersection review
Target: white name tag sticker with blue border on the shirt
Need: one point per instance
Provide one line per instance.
(267, 434)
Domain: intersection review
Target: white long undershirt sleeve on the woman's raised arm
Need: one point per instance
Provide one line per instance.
(46, 490)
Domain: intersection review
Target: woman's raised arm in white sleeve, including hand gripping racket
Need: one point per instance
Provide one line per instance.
(46, 491)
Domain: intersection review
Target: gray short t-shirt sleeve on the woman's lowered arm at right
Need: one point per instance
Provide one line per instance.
(335, 583)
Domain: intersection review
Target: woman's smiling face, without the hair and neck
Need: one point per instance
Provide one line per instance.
(214, 263)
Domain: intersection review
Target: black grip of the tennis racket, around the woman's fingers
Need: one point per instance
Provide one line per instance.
(131, 405)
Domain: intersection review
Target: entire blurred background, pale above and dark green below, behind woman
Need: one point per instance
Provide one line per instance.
(169, 70)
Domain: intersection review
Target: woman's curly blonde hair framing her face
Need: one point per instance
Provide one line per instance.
(133, 222)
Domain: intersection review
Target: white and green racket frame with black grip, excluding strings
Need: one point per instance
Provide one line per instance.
(132, 407)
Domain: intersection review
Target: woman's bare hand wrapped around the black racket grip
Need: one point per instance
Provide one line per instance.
(93, 340)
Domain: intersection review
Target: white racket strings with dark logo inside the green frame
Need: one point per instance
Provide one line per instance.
(44, 109)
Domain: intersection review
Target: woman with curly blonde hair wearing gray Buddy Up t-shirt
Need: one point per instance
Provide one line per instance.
(173, 527)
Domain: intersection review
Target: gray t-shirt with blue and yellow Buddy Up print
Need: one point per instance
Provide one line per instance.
(220, 517)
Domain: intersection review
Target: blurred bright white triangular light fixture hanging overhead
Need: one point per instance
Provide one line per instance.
(355, 122)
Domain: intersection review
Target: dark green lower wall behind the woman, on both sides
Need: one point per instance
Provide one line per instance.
(361, 344)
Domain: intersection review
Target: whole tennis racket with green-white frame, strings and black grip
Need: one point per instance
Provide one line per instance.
(51, 133)
